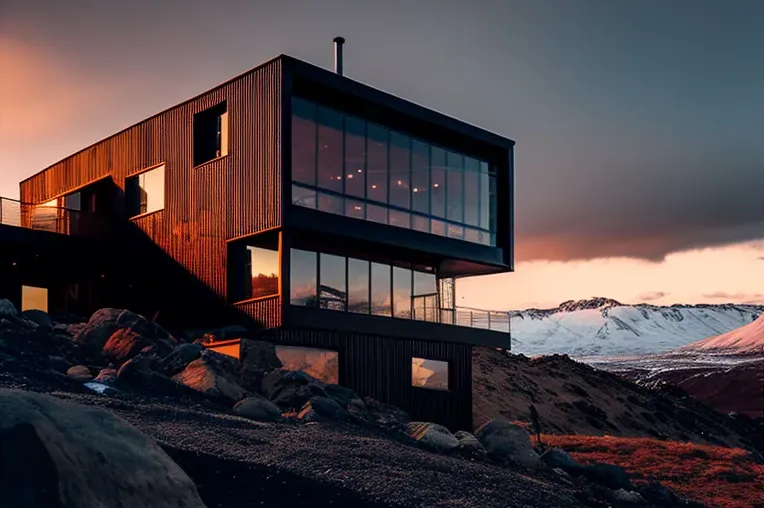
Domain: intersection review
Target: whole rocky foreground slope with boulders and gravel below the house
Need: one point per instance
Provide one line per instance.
(85, 404)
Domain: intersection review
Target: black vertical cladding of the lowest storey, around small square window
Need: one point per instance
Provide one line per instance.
(380, 367)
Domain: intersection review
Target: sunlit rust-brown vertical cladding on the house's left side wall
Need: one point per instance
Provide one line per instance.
(236, 195)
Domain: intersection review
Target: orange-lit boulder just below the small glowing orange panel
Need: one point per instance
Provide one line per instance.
(215, 375)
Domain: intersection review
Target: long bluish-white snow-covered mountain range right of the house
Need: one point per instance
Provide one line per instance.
(605, 327)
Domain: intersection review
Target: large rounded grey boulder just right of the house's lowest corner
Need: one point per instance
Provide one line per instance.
(505, 442)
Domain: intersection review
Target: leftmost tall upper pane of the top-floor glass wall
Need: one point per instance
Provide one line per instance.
(303, 142)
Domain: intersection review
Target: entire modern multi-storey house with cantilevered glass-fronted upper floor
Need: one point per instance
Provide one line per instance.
(335, 215)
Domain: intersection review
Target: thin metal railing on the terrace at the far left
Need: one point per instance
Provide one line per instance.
(49, 218)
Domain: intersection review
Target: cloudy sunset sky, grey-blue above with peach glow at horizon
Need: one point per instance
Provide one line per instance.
(639, 125)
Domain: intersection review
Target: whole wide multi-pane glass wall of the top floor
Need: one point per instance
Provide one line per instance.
(365, 171)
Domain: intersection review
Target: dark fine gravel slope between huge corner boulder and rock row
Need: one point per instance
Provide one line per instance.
(239, 463)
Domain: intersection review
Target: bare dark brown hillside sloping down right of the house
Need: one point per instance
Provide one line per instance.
(574, 398)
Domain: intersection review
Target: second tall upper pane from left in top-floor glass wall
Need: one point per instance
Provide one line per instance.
(330, 150)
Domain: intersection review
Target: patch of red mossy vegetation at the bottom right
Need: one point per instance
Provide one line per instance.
(714, 475)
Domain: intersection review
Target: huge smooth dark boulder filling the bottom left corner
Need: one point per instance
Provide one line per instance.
(59, 454)
